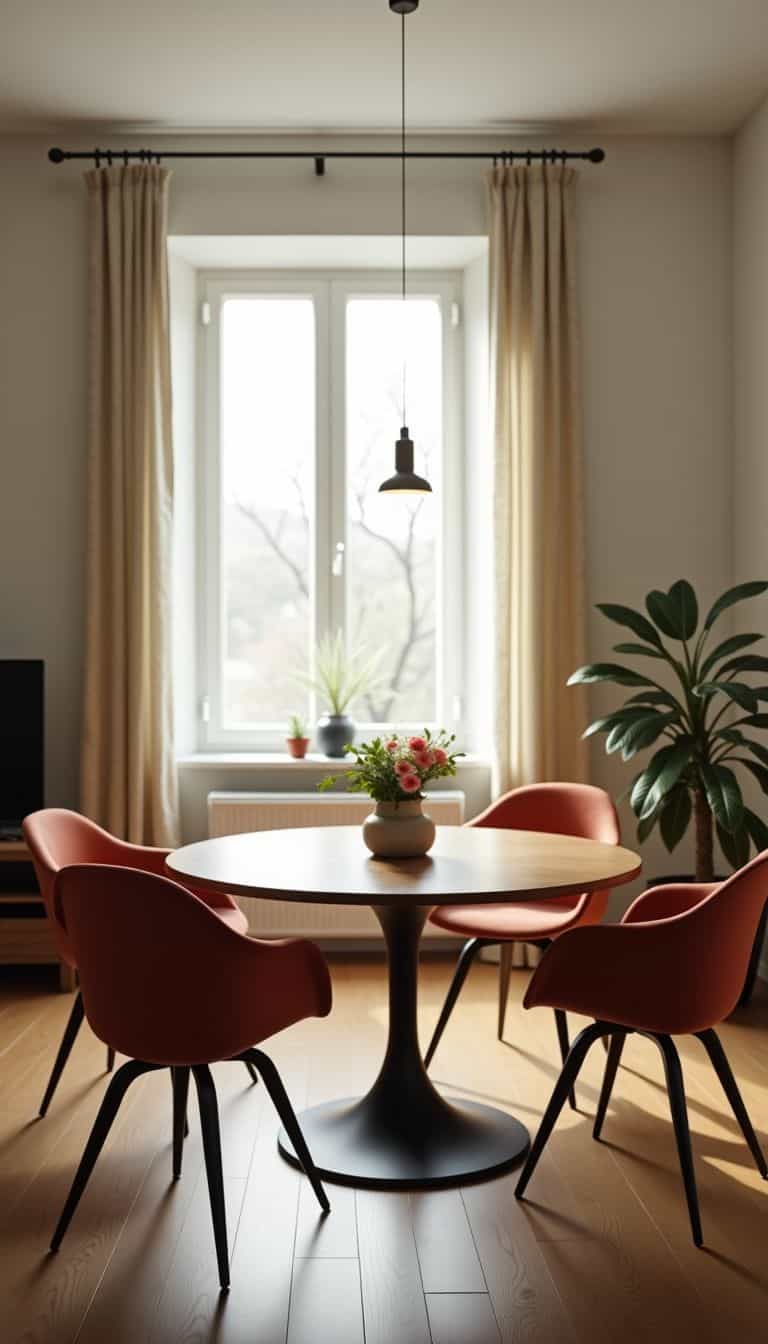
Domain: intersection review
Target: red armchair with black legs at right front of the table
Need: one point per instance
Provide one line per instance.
(675, 966)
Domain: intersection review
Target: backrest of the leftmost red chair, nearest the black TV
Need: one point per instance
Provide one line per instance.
(57, 838)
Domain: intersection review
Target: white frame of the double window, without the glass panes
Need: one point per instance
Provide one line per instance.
(330, 292)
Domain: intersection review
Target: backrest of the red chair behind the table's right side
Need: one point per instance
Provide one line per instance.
(570, 810)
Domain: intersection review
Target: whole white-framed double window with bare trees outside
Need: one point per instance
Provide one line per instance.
(303, 381)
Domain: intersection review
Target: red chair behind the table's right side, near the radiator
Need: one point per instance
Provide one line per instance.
(571, 810)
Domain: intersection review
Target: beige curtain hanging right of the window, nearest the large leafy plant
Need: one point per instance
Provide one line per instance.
(539, 483)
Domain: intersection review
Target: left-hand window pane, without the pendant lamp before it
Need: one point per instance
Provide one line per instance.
(268, 456)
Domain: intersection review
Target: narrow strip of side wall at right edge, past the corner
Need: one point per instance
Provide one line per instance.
(751, 357)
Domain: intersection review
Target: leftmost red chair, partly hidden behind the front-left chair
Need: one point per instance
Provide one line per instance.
(59, 838)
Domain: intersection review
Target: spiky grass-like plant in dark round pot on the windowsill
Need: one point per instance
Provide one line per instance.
(340, 677)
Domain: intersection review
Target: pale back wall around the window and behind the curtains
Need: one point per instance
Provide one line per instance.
(656, 257)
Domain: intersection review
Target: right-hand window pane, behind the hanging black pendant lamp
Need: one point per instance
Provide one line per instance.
(392, 568)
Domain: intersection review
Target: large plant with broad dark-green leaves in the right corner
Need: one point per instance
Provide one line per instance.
(703, 721)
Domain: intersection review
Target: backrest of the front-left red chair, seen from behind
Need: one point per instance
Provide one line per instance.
(163, 979)
